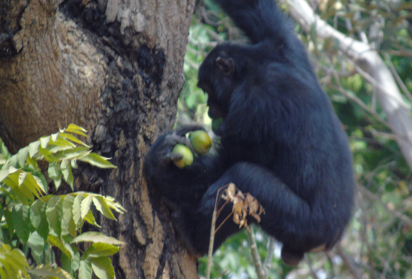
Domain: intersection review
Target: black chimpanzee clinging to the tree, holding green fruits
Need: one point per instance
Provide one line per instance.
(280, 141)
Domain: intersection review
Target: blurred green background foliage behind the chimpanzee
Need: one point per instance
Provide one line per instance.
(378, 242)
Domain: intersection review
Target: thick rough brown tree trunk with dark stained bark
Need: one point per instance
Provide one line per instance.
(114, 67)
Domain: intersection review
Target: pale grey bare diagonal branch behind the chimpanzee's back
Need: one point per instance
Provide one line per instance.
(369, 60)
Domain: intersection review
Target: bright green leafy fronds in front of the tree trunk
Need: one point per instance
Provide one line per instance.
(38, 230)
